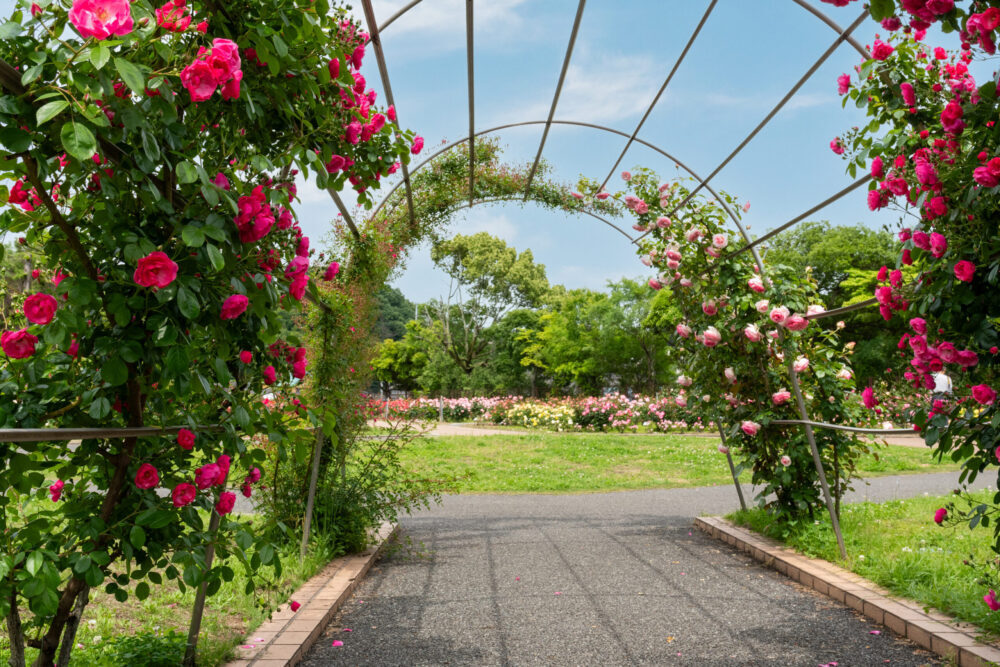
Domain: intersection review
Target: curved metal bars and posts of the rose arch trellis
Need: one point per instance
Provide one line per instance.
(843, 36)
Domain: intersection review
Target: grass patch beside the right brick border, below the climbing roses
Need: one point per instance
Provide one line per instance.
(898, 546)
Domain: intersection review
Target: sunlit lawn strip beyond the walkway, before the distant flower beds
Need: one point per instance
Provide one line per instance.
(575, 463)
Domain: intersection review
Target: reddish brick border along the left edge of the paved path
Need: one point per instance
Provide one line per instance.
(288, 636)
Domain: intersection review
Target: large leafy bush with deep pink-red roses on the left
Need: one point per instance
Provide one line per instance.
(164, 216)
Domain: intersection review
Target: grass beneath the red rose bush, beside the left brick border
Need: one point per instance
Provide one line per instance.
(115, 633)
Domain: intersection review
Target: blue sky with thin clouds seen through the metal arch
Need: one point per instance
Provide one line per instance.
(749, 54)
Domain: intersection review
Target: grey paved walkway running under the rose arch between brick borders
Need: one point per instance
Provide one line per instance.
(605, 579)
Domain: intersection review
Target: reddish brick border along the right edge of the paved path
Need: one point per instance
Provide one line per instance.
(931, 630)
